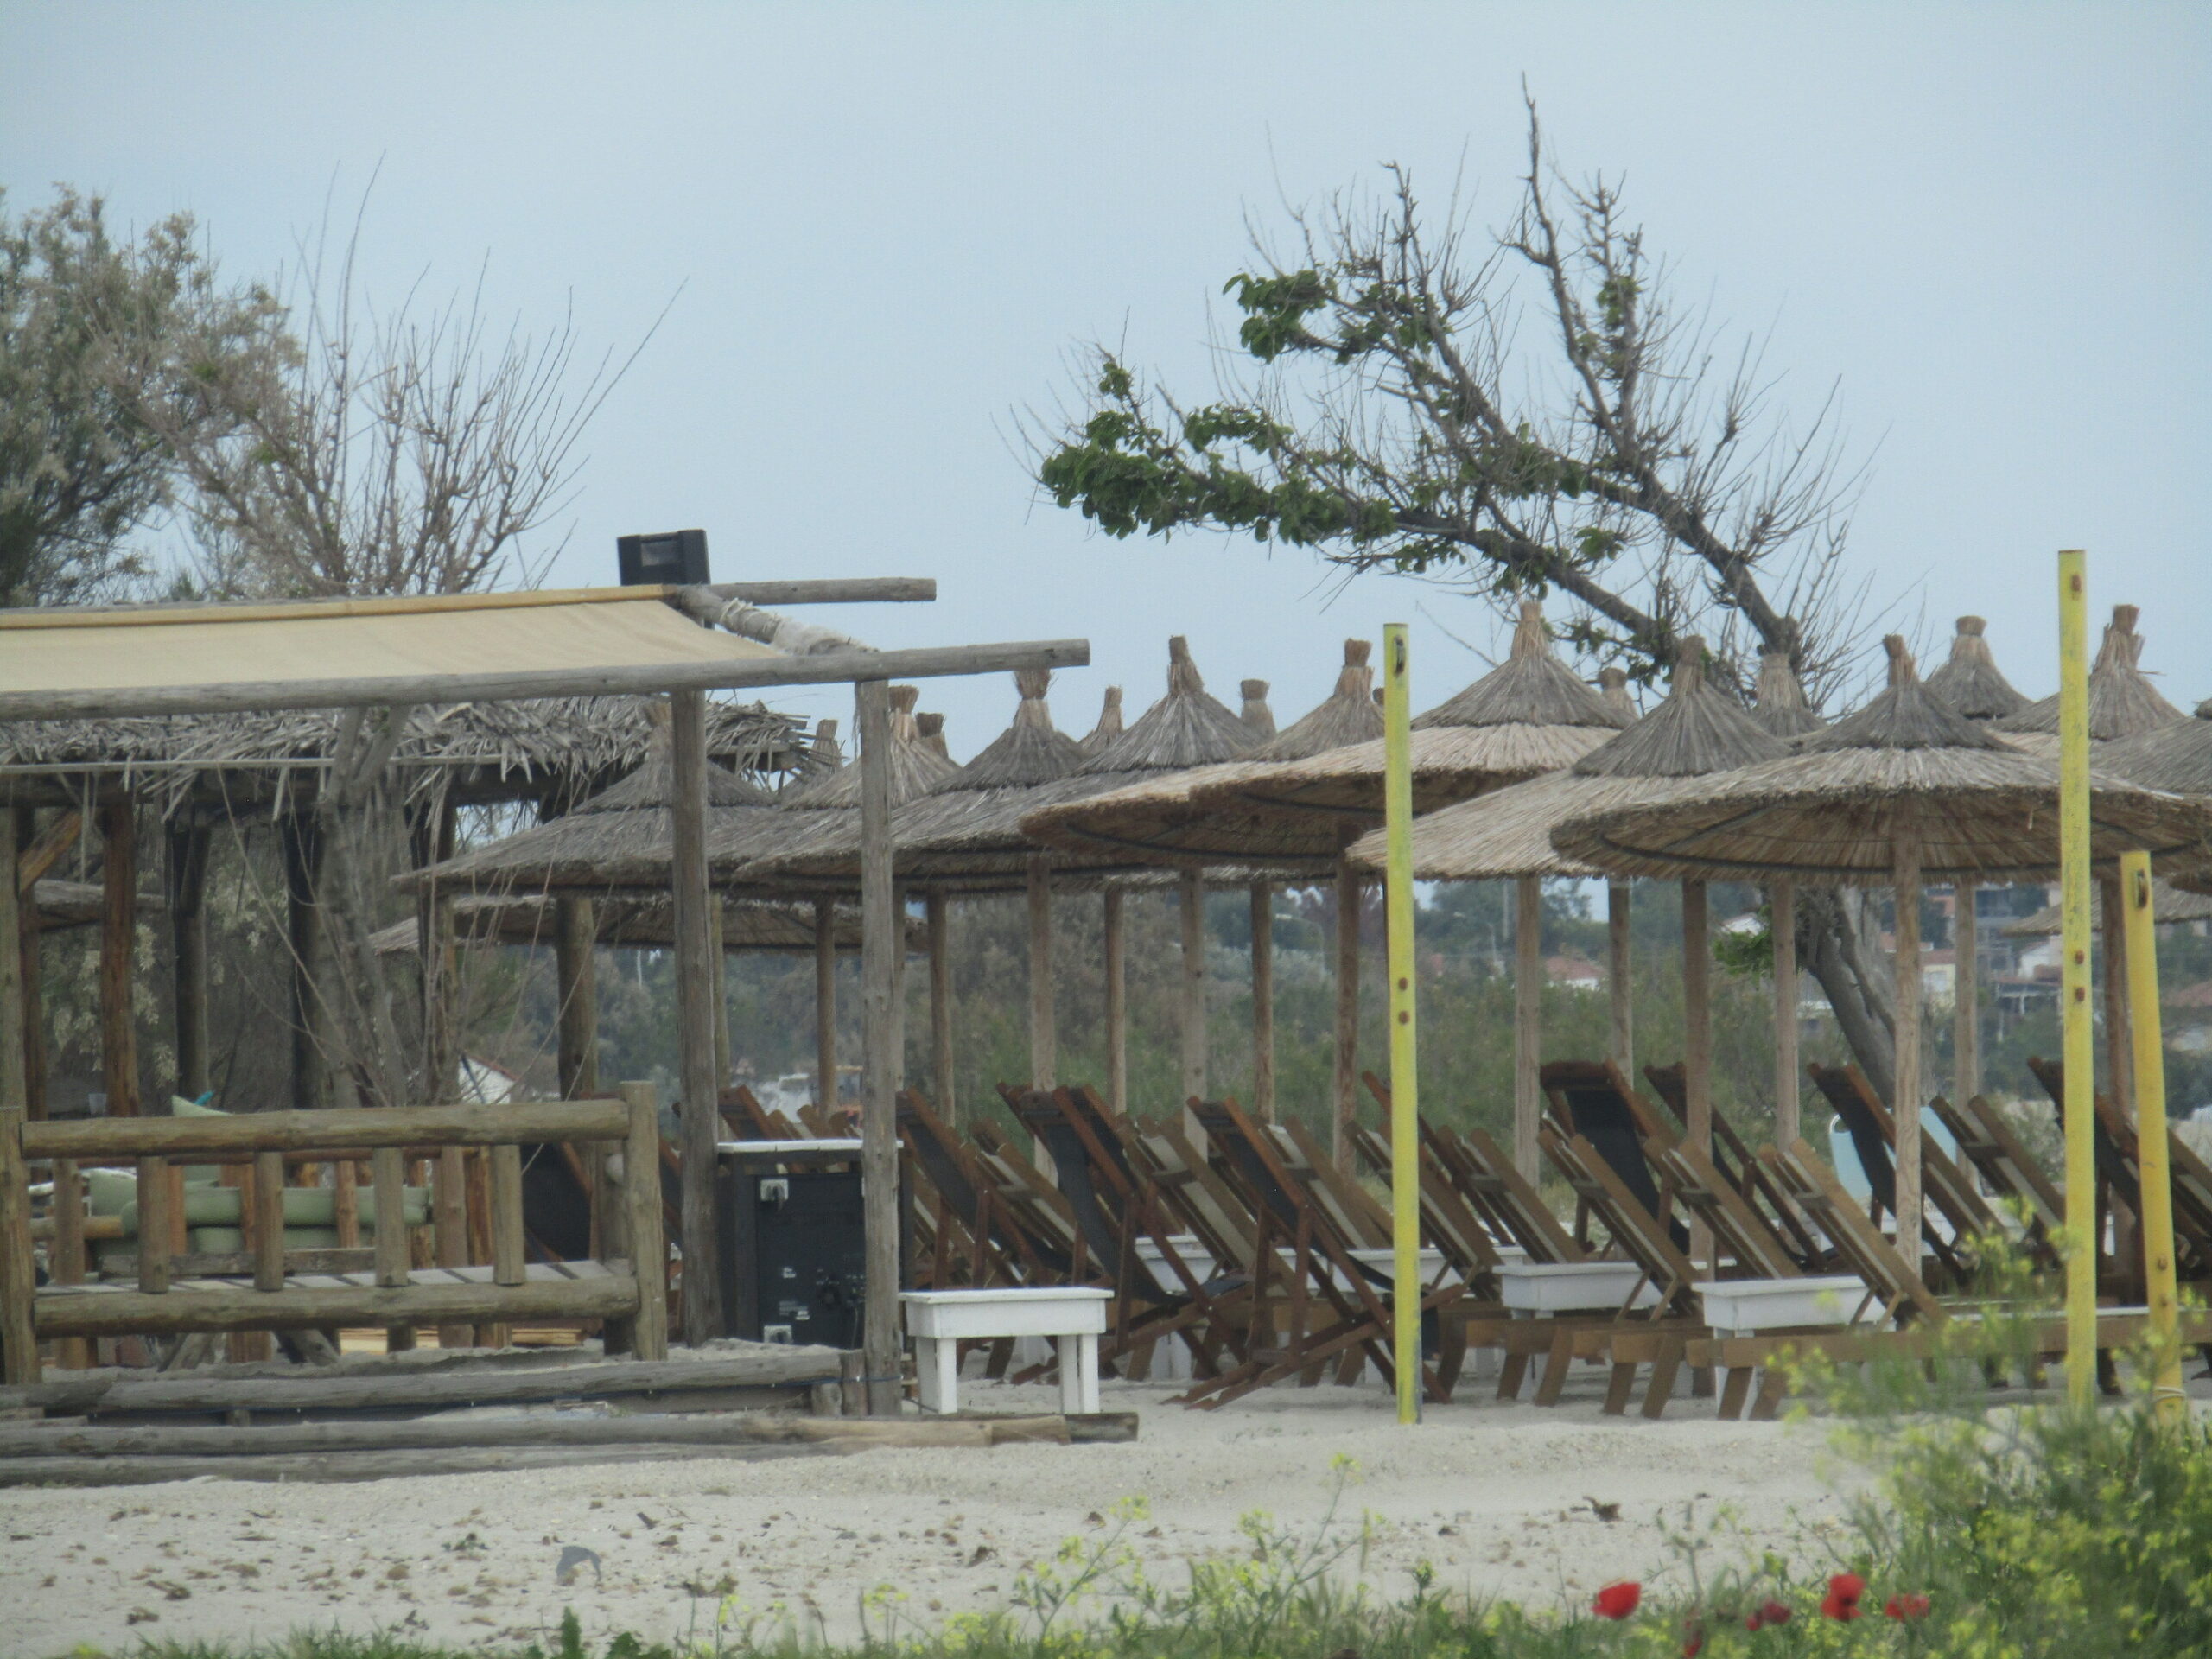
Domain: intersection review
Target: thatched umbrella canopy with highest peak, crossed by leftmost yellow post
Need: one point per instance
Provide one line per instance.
(1523, 718)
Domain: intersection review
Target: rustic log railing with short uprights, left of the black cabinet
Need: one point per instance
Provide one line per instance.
(632, 1297)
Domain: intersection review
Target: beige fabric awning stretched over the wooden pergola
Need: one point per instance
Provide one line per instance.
(340, 640)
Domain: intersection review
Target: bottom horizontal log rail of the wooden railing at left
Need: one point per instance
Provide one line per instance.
(136, 1313)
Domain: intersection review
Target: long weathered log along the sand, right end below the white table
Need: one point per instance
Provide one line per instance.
(567, 1430)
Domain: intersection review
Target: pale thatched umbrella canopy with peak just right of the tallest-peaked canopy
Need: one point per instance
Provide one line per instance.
(1695, 731)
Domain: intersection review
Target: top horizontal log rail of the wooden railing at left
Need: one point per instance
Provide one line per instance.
(359, 1131)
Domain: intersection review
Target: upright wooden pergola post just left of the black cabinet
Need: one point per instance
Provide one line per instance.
(698, 974)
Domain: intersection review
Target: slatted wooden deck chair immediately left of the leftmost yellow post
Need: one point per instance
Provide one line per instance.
(1324, 1269)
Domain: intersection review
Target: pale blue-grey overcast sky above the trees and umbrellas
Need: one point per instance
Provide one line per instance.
(890, 225)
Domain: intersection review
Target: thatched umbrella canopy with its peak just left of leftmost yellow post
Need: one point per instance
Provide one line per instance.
(1180, 817)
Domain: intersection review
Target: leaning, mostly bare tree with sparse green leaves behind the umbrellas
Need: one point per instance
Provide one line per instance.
(1505, 415)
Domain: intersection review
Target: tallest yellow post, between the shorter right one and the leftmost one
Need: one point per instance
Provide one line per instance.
(2074, 983)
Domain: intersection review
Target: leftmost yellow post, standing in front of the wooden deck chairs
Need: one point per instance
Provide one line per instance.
(1404, 1081)
